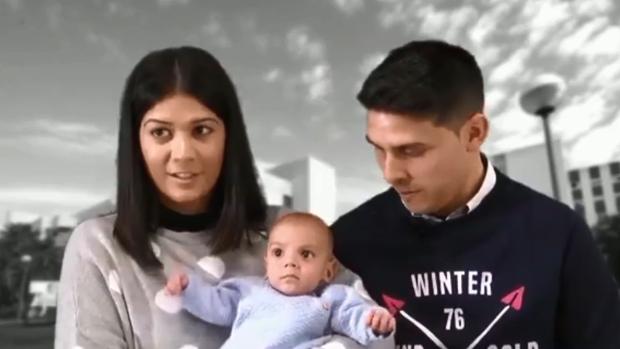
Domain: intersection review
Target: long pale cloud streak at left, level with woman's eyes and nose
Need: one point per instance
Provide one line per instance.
(62, 137)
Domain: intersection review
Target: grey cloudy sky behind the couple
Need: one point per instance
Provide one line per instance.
(297, 66)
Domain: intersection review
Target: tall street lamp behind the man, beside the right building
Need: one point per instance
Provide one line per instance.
(542, 100)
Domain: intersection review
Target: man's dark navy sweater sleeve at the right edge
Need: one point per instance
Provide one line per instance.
(589, 305)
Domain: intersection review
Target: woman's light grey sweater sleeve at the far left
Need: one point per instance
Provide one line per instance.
(87, 315)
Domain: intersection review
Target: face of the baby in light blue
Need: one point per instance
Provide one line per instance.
(298, 257)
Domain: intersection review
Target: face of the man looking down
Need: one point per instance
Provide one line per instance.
(428, 165)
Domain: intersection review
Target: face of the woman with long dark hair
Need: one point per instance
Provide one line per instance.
(182, 142)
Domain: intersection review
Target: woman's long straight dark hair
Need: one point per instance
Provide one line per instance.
(237, 198)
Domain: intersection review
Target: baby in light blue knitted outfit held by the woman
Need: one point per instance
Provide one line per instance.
(295, 306)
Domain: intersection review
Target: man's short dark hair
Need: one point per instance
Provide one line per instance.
(428, 78)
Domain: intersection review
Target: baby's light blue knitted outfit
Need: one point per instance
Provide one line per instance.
(261, 317)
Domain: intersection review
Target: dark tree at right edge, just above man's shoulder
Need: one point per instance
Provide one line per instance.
(607, 232)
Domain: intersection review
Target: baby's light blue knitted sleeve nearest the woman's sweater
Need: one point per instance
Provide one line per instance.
(215, 304)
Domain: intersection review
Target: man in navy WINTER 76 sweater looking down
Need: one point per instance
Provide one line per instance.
(464, 256)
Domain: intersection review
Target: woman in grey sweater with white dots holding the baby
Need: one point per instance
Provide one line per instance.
(187, 196)
